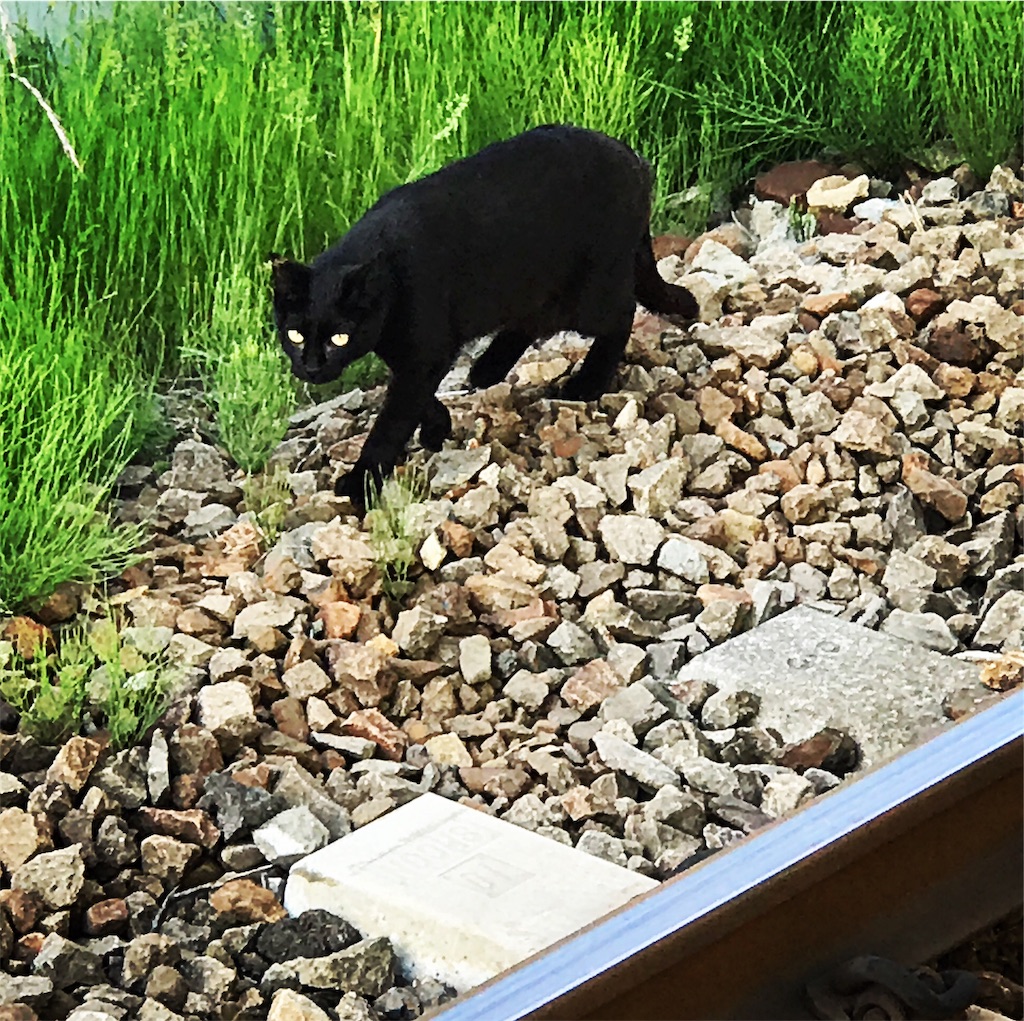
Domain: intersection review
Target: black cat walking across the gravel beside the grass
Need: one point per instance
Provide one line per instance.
(543, 233)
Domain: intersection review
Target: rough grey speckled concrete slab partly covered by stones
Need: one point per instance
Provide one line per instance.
(815, 671)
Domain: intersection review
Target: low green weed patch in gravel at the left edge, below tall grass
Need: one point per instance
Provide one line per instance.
(93, 673)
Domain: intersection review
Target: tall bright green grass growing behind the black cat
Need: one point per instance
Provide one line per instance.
(207, 136)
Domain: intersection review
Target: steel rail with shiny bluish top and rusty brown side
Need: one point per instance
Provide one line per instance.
(903, 864)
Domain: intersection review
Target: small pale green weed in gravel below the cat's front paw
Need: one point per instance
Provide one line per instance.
(394, 535)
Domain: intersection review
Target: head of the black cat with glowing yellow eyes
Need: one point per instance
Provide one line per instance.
(327, 316)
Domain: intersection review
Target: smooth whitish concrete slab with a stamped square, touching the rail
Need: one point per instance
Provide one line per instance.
(462, 896)
